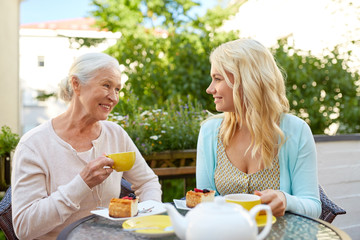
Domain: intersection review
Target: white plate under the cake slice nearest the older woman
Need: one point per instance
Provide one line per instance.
(156, 208)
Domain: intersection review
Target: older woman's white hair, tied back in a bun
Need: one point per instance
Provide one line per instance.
(84, 68)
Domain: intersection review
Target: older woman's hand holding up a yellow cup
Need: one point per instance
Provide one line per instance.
(94, 172)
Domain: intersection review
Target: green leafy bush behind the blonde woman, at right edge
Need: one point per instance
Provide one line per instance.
(322, 91)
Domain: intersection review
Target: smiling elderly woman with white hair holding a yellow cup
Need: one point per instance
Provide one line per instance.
(60, 171)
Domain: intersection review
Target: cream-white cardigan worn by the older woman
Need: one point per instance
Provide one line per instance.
(47, 191)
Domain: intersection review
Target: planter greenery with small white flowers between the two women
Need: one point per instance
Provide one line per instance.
(174, 125)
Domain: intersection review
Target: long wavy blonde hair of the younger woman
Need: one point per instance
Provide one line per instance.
(259, 95)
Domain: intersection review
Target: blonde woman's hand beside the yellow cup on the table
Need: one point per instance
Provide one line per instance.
(275, 199)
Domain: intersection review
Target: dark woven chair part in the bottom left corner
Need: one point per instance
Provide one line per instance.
(6, 216)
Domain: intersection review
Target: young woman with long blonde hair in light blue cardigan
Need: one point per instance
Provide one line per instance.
(255, 146)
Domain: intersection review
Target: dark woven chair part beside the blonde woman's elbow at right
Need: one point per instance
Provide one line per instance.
(329, 209)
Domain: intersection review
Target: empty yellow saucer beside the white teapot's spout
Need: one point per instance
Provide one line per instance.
(150, 226)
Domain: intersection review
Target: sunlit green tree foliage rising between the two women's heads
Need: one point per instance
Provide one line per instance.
(164, 48)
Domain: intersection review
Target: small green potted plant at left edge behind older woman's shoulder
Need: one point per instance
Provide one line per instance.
(8, 142)
